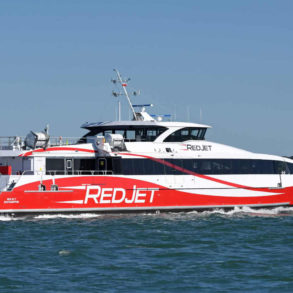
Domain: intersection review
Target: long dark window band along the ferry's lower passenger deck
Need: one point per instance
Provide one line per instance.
(117, 165)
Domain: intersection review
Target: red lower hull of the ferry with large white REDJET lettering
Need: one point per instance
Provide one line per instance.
(107, 193)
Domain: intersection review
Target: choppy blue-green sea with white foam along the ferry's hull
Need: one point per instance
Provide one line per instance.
(237, 251)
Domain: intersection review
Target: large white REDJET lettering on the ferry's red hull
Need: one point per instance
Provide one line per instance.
(118, 195)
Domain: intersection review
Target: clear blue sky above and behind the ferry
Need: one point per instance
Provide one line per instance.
(232, 59)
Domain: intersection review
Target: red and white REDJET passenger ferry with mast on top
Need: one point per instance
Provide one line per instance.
(145, 164)
